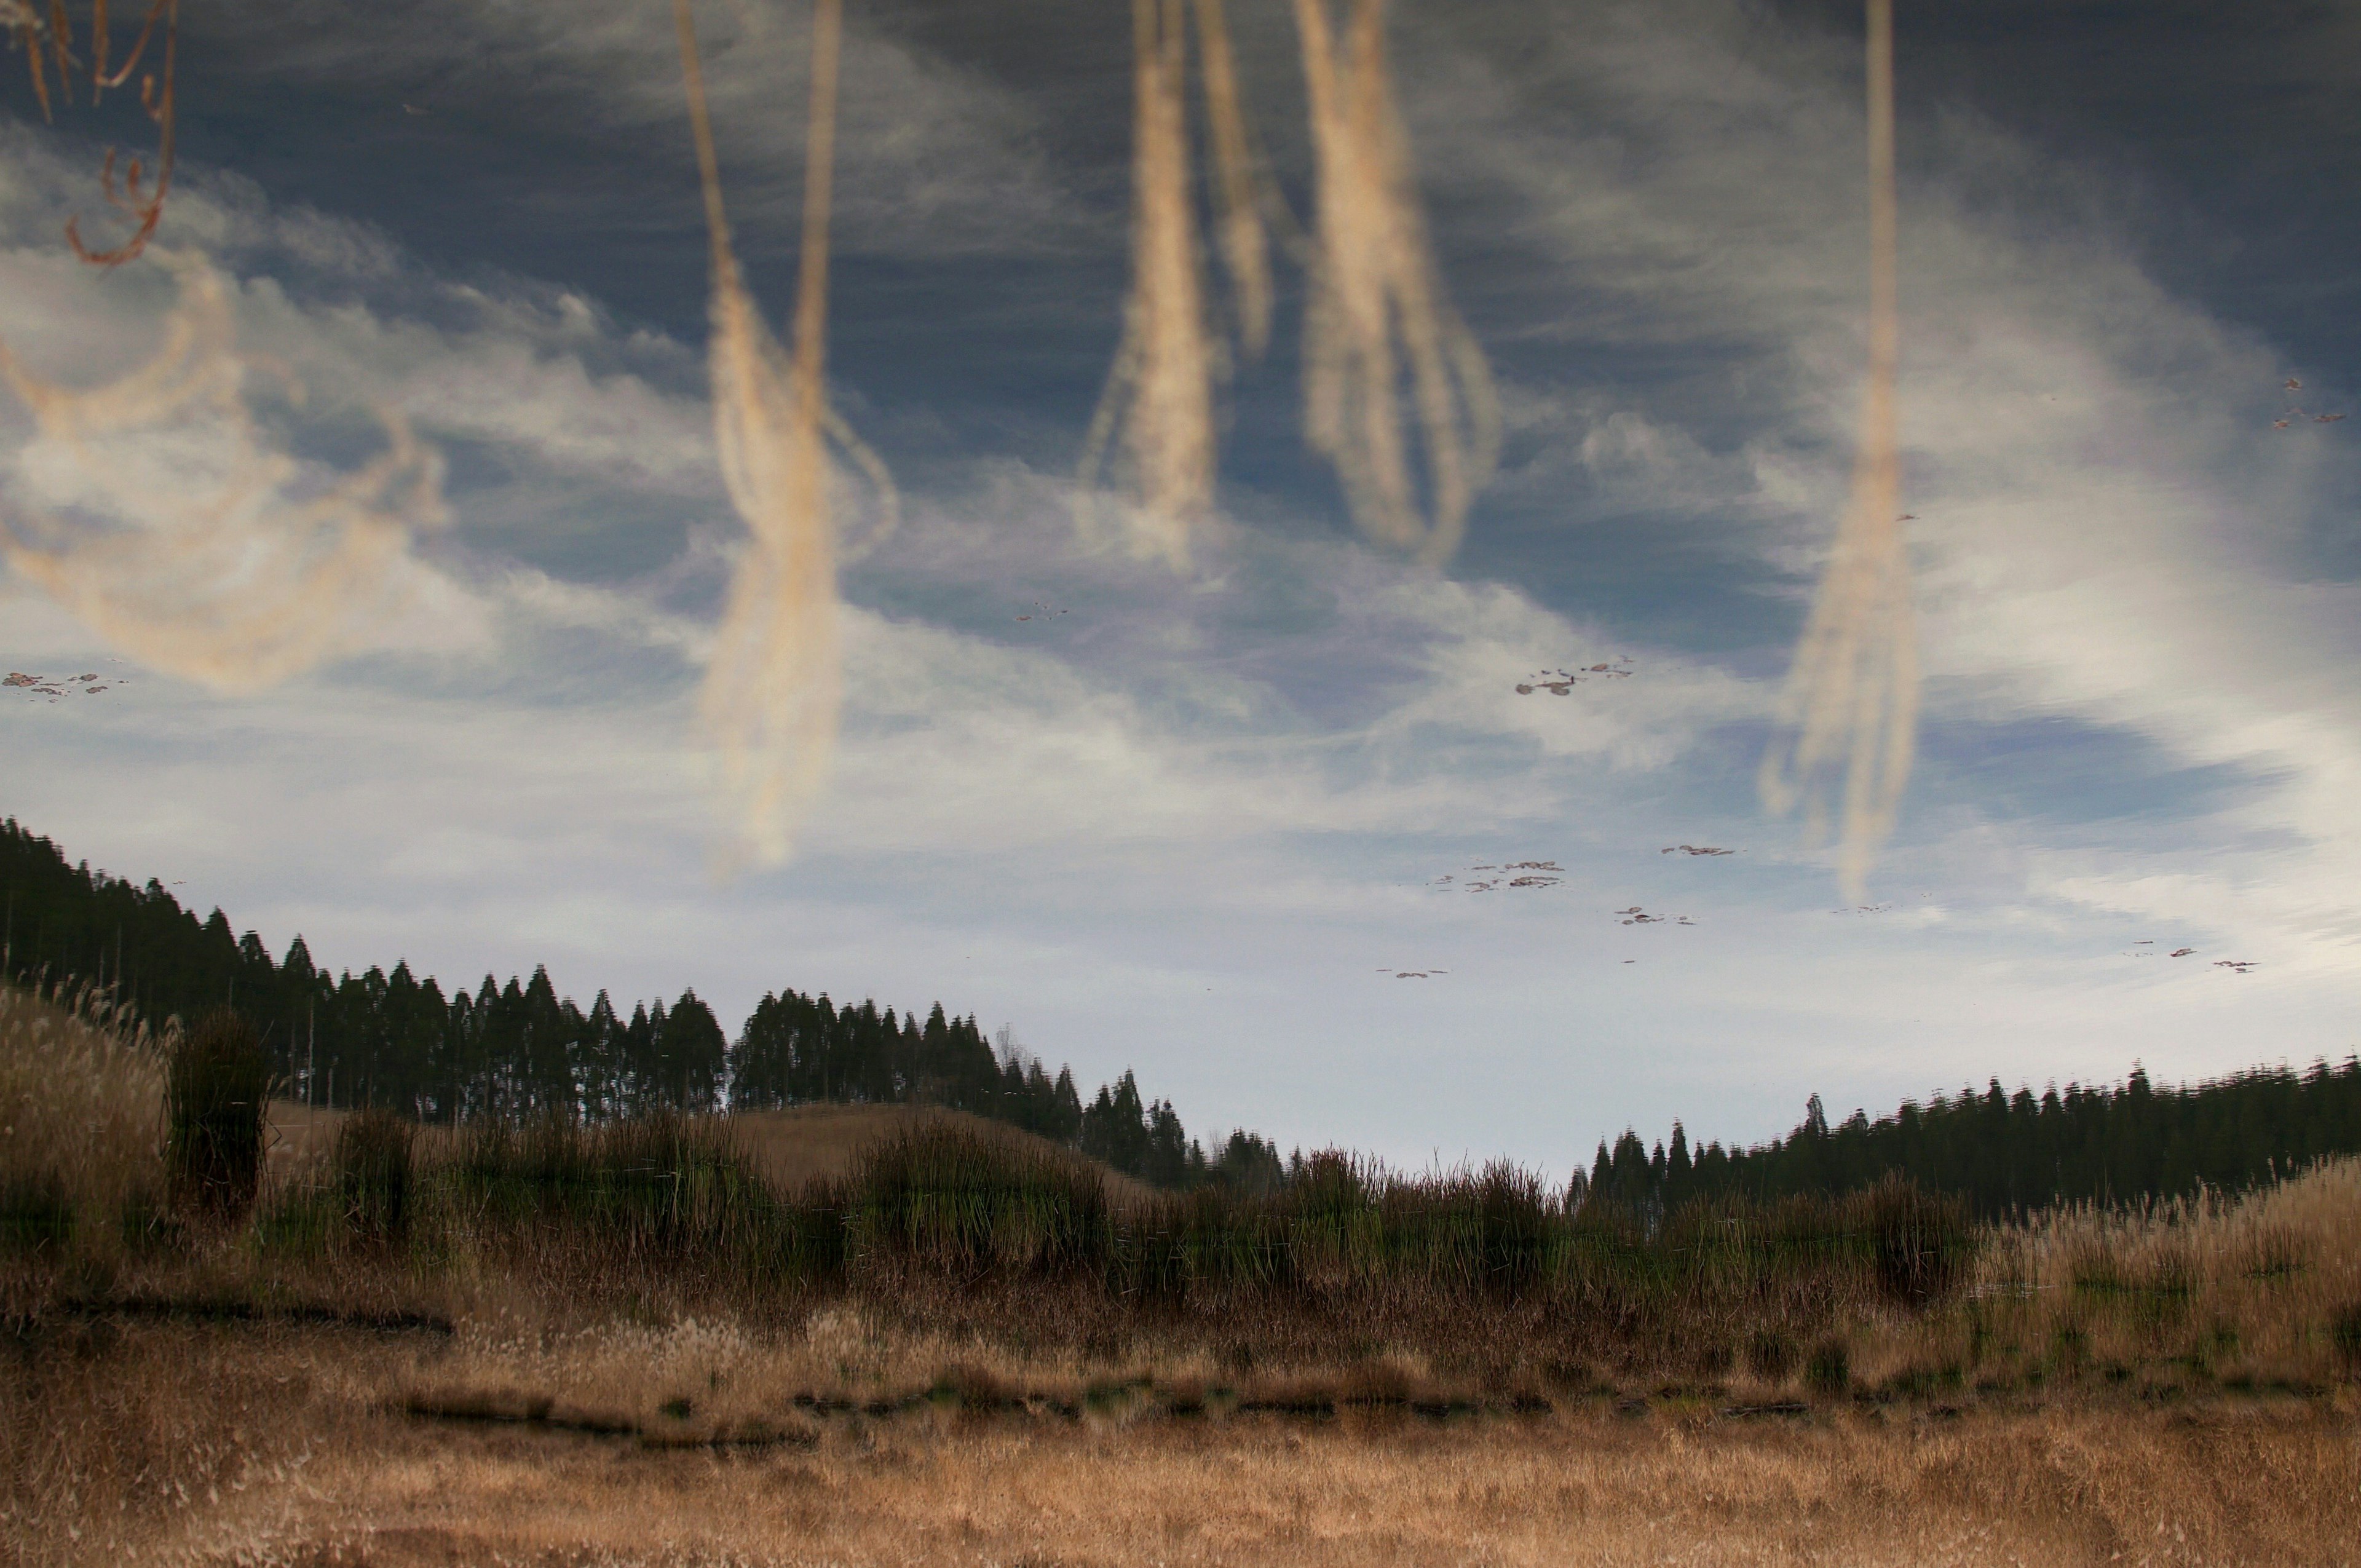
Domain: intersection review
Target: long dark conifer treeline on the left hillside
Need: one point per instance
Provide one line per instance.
(521, 1050)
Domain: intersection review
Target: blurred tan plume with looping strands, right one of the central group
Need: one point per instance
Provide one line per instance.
(1380, 306)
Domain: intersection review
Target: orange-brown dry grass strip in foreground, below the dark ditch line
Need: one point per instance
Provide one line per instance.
(176, 1444)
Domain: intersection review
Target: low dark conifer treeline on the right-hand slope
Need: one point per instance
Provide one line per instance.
(2010, 1154)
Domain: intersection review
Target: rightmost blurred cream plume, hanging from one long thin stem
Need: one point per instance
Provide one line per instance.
(1852, 695)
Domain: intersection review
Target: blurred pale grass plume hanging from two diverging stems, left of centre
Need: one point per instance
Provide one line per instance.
(773, 691)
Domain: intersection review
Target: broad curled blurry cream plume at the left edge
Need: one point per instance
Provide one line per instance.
(162, 516)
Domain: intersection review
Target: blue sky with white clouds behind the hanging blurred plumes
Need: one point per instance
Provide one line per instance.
(1198, 823)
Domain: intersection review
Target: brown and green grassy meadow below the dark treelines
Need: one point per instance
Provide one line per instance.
(922, 1338)
